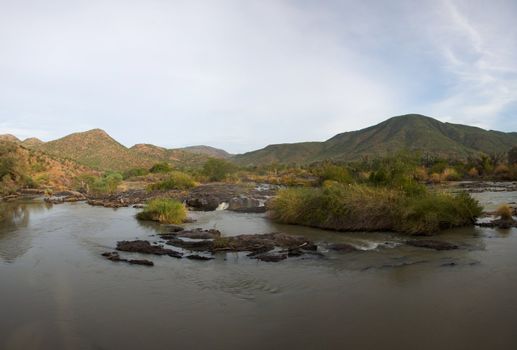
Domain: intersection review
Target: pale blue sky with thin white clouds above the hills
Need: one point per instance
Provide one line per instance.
(242, 74)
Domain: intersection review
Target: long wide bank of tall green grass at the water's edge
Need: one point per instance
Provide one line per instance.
(359, 207)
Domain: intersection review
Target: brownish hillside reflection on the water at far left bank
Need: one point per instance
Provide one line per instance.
(15, 239)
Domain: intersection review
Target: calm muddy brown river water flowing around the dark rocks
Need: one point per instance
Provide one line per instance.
(57, 292)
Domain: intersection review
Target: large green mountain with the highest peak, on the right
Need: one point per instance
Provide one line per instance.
(408, 132)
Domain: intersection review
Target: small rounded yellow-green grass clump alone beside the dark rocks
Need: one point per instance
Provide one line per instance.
(165, 211)
